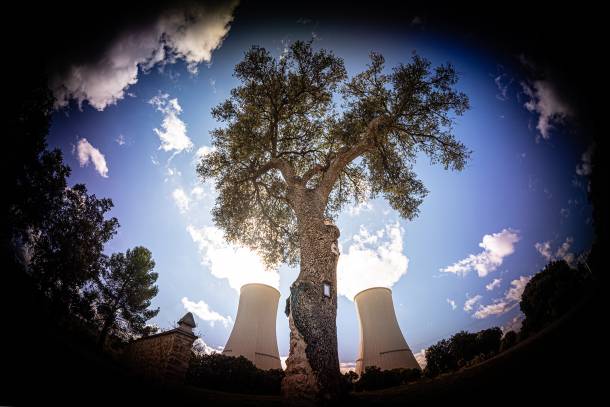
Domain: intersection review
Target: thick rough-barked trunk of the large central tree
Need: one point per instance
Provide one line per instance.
(312, 367)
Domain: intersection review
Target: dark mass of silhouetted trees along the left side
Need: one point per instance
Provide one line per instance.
(54, 236)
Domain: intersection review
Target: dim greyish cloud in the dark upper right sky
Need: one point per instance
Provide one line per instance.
(545, 101)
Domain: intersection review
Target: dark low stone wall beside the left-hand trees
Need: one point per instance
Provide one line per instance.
(163, 356)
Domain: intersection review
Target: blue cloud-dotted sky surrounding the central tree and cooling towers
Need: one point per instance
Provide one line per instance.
(133, 120)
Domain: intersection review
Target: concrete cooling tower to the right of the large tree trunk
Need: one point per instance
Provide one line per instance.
(381, 341)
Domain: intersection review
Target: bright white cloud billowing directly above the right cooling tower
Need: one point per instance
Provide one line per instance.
(372, 260)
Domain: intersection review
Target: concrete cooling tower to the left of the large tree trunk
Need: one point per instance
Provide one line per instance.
(253, 335)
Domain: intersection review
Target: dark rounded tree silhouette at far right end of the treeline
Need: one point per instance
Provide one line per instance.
(551, 293)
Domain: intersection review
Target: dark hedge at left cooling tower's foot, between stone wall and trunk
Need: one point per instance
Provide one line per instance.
(232, 374)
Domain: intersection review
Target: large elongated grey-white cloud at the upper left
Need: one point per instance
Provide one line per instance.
(190, 33)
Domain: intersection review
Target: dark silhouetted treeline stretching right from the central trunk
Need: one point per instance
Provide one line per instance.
(549, 295)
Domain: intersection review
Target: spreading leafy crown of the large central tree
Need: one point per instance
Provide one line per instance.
(283, 134)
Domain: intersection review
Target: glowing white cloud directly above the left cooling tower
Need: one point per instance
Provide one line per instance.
(239, 265)
